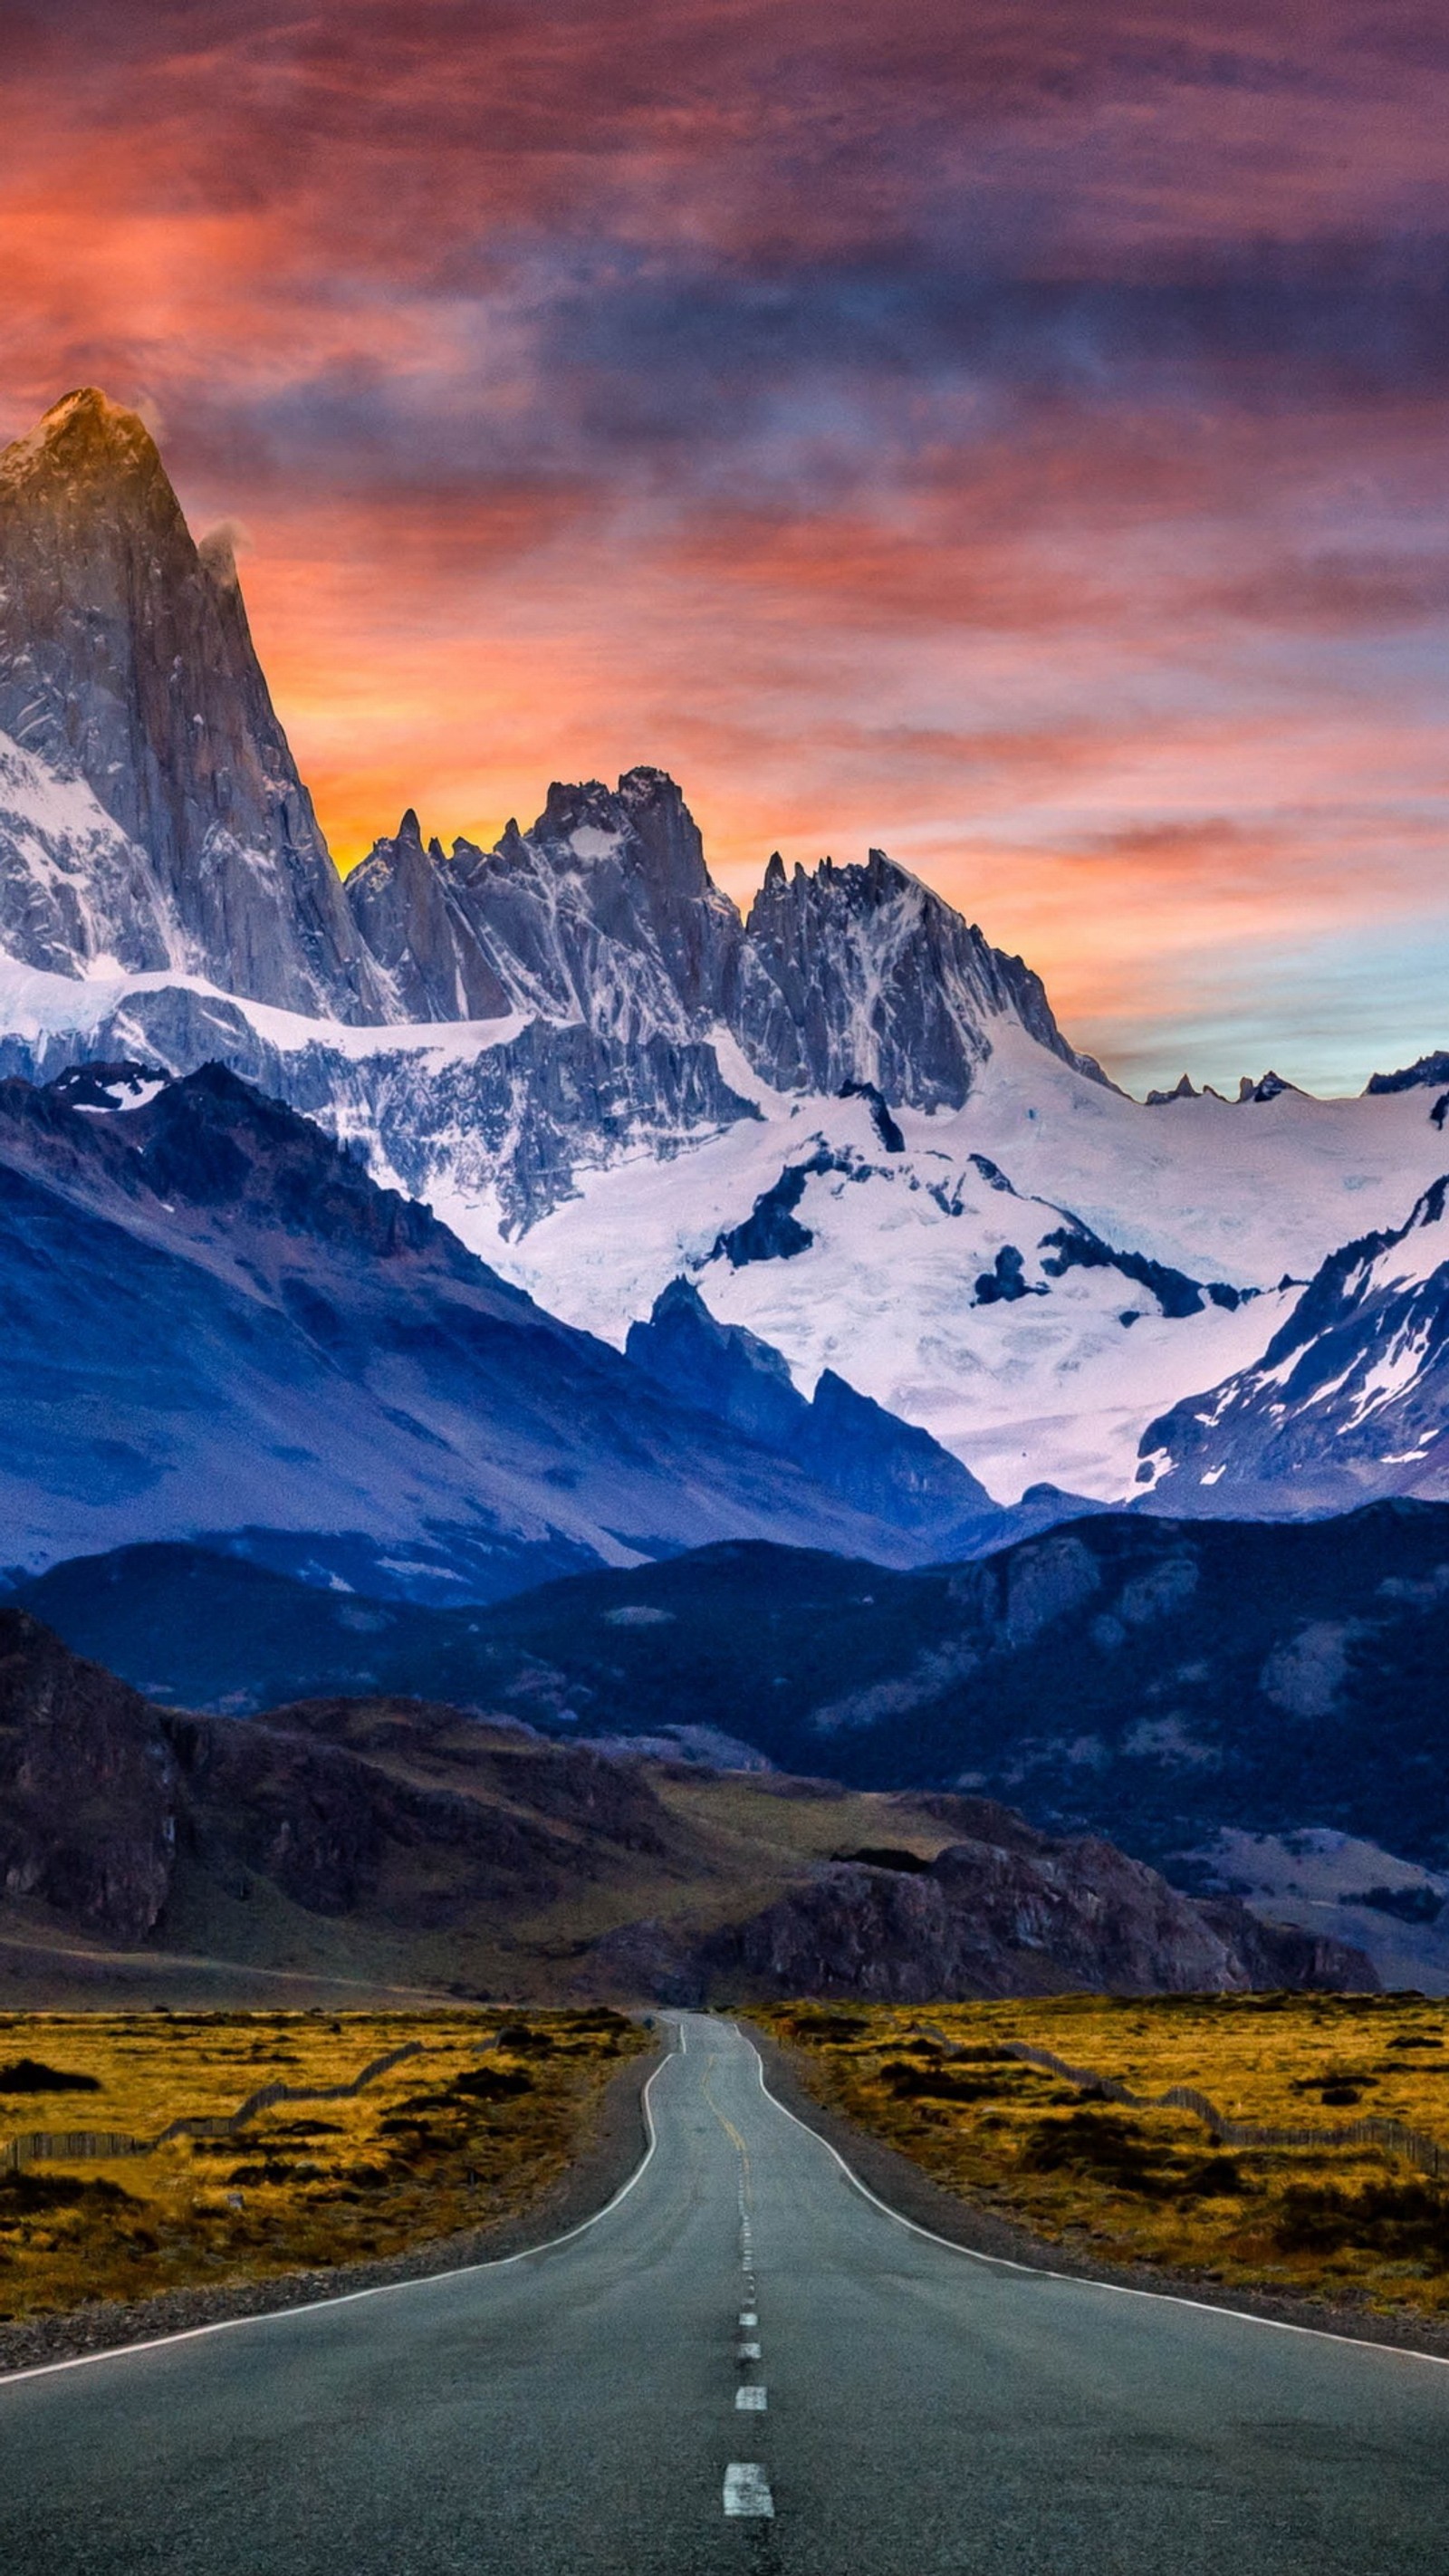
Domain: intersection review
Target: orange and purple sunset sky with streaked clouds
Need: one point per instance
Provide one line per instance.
(1013, 437)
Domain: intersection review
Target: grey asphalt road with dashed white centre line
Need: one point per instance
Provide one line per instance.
(578, 2412)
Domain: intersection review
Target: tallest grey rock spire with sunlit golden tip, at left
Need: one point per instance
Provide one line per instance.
(127, 666)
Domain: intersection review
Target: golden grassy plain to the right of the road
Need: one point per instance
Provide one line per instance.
(1152, 2186)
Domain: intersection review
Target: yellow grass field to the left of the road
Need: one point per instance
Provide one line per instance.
(467, 2132)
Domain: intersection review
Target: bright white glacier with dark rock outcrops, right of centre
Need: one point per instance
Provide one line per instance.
(966, 1282)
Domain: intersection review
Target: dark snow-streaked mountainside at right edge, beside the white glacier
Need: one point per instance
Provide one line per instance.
(1347, 1403)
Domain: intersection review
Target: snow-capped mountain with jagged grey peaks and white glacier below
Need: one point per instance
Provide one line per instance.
(845, 1122)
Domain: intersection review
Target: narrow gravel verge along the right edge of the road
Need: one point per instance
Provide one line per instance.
(912, 2193)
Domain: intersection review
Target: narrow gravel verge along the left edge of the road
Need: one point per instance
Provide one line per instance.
(609, 2155)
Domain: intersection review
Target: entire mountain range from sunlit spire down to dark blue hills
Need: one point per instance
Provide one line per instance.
(516, 1279)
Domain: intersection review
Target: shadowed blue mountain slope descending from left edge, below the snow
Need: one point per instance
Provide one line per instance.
(217, 1323)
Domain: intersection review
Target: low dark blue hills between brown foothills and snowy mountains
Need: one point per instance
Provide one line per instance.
(1237, 1704)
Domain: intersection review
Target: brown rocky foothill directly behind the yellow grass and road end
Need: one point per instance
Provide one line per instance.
(398, 1838)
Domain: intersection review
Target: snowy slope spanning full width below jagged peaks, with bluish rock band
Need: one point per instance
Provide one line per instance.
(974, 1282)
